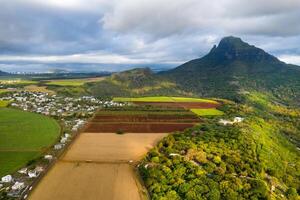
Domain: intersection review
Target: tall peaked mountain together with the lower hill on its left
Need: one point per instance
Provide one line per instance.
(230, 70)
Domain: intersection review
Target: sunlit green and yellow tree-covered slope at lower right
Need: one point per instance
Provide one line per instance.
(250, 160)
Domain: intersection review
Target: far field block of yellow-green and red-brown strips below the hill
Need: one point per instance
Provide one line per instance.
(201, 107)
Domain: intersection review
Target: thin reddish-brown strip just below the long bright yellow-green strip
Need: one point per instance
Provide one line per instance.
(186, 105)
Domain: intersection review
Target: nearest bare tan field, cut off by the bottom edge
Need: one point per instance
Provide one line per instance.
(88, 181)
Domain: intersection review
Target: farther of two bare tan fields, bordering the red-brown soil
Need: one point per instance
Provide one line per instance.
(111, 147)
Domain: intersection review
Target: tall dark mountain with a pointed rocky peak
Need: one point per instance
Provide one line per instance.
(235, 67)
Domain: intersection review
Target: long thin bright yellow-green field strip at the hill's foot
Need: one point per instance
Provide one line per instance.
(163, 99)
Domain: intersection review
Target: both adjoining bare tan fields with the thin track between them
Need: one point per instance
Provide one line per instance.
(96, 166)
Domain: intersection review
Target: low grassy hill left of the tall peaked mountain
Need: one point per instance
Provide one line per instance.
(135, 82)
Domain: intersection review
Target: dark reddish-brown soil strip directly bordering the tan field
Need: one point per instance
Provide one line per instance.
(130, 127)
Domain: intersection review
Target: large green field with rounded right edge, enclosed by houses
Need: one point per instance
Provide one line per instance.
(23, 137)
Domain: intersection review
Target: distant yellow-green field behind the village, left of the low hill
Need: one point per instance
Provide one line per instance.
(72, 82)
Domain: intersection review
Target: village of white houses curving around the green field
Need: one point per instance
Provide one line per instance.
(70, 112)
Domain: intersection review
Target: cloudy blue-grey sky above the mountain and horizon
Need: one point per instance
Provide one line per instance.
(114, 35)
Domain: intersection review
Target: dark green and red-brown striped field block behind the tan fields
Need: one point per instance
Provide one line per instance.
(142, 120)
